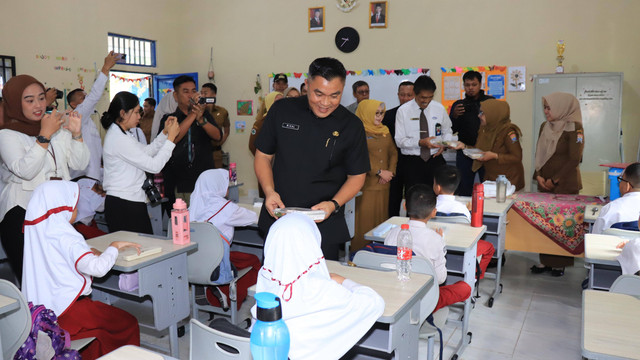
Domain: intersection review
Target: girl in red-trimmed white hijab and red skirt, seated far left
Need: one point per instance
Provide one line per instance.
(58, 266)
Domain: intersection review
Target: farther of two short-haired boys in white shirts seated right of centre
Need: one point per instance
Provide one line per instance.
(445, 183)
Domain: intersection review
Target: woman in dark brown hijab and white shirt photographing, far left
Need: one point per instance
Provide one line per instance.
(34, 147)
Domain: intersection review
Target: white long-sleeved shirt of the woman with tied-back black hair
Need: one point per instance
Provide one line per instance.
(126, 160)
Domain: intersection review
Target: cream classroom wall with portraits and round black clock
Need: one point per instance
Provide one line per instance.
(261, 37)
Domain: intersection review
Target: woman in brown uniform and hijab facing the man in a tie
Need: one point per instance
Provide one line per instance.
(500, 141)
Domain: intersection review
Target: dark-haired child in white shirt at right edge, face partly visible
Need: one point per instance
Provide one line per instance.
(625, 208)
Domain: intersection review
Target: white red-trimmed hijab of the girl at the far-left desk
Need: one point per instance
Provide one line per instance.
(52, 247)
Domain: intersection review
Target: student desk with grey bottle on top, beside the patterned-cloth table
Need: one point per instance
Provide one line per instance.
(495, 218)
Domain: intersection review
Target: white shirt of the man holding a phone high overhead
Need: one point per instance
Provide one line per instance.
(90, 133)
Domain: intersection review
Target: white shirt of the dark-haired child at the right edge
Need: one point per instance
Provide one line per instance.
(622, 209)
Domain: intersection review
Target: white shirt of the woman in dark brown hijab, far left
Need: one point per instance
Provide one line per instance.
(24, 164)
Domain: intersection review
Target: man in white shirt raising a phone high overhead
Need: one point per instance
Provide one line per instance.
(85, 105)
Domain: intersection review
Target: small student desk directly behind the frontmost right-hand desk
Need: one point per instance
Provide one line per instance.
(600, 253)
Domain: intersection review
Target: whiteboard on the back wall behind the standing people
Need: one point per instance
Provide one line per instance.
(382, 87)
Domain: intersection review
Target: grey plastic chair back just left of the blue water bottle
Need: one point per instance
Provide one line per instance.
(208, 343)
